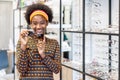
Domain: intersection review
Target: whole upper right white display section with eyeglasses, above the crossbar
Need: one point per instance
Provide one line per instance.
(98, 18)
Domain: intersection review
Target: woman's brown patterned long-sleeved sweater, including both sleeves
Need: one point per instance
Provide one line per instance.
(31, 66)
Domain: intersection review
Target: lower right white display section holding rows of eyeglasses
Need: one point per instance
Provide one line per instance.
(102, 56)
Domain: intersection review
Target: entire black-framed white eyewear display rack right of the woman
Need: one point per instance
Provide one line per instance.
(90, 39)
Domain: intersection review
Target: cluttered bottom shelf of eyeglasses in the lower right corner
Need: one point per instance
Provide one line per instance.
(102, 71)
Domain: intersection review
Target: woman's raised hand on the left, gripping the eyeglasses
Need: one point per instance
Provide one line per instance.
(24, 39)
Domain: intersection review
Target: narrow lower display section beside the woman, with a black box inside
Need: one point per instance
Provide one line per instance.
(72, 50)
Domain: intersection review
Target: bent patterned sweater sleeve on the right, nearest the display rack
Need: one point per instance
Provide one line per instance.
(53, 64)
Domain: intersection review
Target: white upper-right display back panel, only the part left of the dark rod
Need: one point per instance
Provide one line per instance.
(96, 15)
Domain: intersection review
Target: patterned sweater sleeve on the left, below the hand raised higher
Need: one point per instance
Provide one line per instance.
(22, 59)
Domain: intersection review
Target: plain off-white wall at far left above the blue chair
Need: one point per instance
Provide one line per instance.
(6, 23)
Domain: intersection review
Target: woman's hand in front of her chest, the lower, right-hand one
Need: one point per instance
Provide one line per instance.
(41, 47)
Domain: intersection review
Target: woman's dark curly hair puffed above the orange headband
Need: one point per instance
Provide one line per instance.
(38, 6)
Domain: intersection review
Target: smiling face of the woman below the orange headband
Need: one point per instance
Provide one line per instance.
(39, 24)
